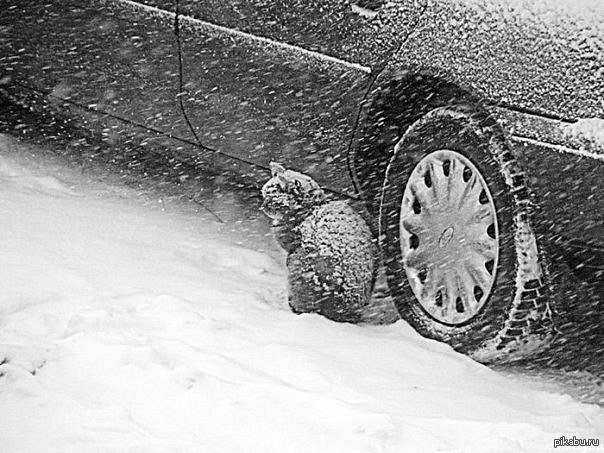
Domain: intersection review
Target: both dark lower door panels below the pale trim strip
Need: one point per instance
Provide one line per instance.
(251, 100)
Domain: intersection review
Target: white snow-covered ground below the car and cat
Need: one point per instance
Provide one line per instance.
(132, 325)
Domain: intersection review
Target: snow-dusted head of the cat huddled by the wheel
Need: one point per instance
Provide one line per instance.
(289, 194)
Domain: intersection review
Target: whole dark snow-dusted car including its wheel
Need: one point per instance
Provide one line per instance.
(470, 130)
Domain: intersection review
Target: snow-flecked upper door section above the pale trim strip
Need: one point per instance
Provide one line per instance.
(329, 27)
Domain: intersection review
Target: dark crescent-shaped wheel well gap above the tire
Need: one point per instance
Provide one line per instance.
(396, 103)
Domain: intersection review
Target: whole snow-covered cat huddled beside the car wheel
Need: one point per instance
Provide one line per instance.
(331, 252)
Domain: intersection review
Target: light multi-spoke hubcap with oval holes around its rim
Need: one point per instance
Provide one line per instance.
(449, 236)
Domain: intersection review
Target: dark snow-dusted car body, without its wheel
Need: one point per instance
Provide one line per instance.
(241, 83)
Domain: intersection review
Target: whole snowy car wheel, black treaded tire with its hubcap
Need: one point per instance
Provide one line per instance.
(464, 266)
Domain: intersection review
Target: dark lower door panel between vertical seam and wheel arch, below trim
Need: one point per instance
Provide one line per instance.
(264, 104)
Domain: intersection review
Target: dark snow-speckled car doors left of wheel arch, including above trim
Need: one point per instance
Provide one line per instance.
(258, 81)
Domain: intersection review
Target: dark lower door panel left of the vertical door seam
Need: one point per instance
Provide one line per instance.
(116, 66)
